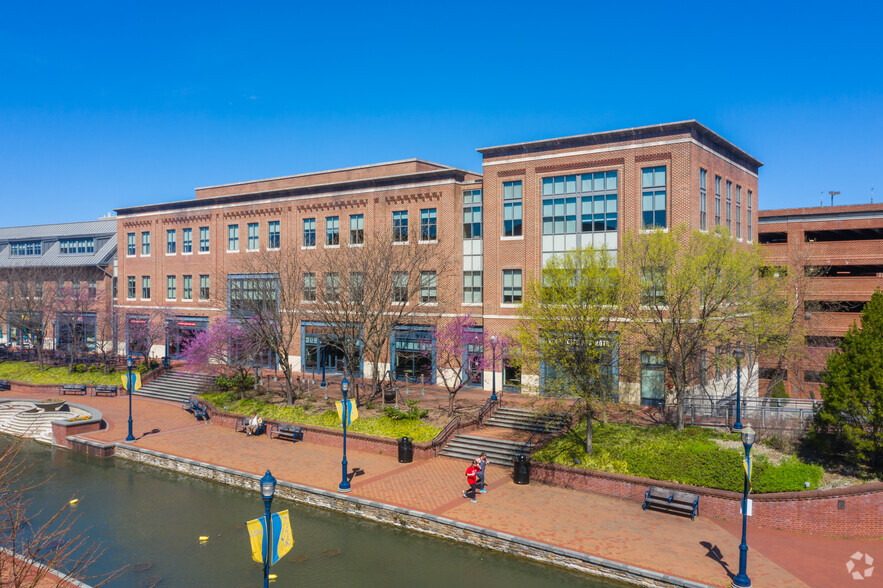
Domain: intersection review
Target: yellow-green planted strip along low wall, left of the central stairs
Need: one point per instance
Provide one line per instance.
(309, 413)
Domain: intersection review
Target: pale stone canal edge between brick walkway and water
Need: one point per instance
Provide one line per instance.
(411, 520)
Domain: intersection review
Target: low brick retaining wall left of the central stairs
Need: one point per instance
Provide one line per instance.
(334, 437)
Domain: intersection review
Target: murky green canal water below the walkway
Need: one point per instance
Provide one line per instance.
(142, 515)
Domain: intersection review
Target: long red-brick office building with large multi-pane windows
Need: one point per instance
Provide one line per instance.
(535, 199)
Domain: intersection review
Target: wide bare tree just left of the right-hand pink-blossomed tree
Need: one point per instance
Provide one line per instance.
(362, 292)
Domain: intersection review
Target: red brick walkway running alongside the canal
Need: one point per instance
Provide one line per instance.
(610, 528)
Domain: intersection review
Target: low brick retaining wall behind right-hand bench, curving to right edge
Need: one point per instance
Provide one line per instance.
(853, 511)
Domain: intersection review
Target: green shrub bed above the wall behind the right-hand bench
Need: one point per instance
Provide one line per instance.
(691, 456)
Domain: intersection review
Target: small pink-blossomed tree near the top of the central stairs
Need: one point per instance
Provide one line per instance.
(458, 344)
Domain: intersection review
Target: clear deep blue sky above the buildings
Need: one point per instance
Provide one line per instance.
(105, 105)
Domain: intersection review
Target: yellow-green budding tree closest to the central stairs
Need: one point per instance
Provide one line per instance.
(567, 330)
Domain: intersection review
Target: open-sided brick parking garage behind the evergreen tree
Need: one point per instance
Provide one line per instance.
(841, 248)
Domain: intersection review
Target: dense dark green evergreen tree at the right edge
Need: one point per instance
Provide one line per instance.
(852, 391)
